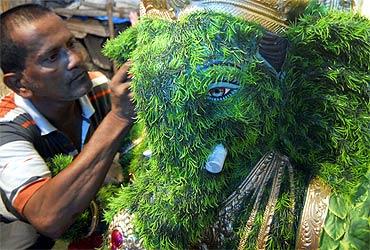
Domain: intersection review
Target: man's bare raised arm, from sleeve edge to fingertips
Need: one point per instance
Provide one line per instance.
(54, 207)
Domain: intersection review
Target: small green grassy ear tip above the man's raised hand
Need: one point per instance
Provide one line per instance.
(121, 47)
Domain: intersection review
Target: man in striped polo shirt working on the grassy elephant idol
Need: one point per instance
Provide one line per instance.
(55, 108)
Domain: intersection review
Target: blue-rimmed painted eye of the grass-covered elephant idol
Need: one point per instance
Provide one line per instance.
(221, 90)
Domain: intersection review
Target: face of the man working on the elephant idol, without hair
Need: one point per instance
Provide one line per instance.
(53, 66)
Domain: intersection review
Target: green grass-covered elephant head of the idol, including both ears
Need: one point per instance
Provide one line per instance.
(214, 93)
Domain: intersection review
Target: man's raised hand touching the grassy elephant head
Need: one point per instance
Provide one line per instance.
(121, 95)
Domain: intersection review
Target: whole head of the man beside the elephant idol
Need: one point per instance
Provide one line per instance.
(39, 55)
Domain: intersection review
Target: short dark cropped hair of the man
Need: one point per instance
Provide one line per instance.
(12, 53)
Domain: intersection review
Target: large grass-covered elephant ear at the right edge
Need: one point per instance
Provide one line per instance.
(328, 71)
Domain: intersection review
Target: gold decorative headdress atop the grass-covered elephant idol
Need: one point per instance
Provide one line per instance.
(272, 14)
